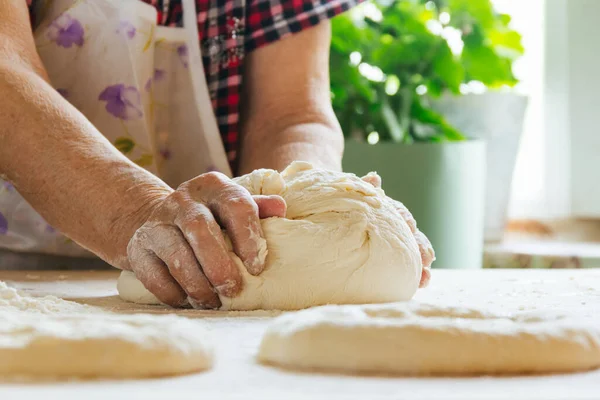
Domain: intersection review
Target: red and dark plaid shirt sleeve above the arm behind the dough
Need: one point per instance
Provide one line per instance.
(270, 20)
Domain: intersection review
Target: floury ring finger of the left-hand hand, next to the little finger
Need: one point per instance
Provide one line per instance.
(169, 244)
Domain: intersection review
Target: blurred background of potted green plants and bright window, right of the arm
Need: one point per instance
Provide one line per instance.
(480, 116)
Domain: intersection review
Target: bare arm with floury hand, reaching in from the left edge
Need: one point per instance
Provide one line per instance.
(83, 186)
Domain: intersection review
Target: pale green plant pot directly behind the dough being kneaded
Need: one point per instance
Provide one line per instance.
(442, 184)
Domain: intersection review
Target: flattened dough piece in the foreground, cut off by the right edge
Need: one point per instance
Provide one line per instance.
(418, 339)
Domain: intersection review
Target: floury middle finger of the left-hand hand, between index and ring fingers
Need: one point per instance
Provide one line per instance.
(205, 238)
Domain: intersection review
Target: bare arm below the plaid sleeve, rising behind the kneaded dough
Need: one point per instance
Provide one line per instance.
(287, 113)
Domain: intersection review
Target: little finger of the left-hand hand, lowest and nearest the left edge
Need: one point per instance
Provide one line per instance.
(155, 277)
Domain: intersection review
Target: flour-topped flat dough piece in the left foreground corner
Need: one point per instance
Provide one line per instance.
(52, 338)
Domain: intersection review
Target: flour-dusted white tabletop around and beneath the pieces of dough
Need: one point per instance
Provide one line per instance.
(237, 376)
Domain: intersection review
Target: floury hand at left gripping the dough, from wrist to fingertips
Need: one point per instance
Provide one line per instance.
(180, 254)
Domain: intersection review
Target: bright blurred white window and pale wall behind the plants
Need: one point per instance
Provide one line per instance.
(558, 167)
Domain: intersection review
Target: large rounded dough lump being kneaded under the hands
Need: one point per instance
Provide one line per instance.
(342, 242)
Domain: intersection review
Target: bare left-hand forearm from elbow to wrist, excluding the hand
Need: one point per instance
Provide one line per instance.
(67, 170)
